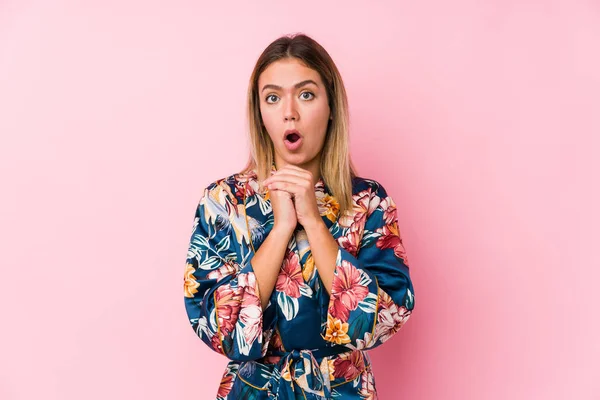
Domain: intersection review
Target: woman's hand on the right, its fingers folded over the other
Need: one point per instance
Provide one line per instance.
(298, 184)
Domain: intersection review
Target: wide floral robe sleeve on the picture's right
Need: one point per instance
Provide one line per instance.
(372, 295)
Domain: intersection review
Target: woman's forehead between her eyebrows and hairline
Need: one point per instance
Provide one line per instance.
(287, 72)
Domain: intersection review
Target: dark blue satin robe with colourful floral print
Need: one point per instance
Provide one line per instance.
(305, 343)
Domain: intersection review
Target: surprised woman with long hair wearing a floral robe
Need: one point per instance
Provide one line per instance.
(296, 265)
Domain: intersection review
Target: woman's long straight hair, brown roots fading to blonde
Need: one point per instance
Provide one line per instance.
(336, 166)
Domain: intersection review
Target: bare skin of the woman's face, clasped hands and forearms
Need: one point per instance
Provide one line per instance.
(293, 96)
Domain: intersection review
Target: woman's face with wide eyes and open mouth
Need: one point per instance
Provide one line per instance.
(293, 98)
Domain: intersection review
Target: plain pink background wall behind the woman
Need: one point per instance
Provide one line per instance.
(480, 118)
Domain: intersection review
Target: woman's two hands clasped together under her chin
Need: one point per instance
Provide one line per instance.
(293, 198)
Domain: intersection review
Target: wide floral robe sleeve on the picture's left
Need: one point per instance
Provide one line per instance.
(221, 293)
